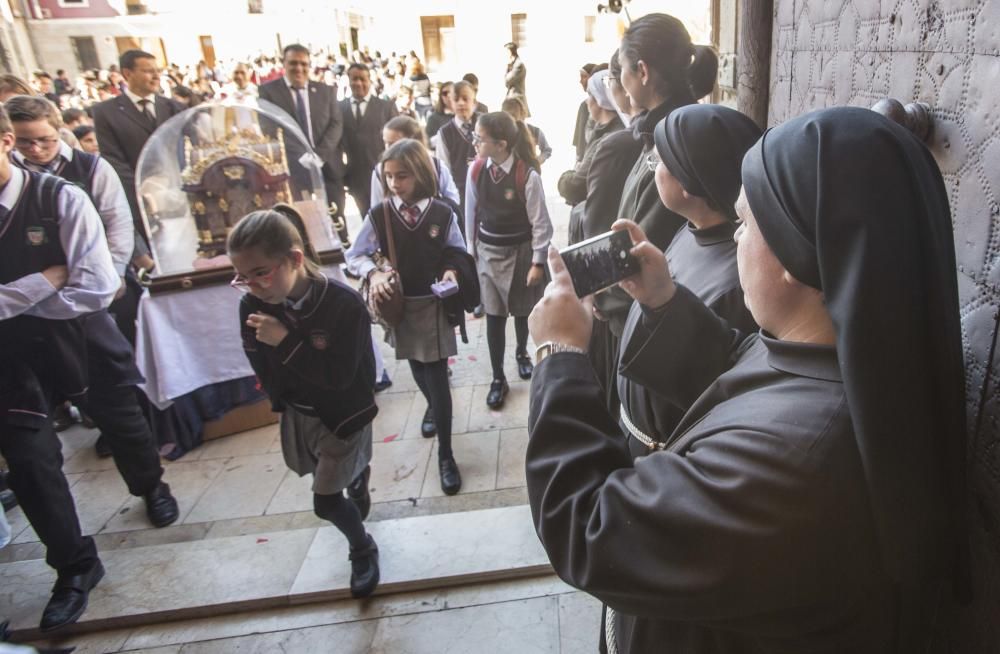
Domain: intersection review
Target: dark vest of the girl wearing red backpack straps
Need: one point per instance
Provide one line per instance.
(501, 212)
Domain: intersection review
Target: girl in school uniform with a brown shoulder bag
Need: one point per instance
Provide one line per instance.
(428, 247)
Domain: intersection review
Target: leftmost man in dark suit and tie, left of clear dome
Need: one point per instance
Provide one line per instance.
(124, 124)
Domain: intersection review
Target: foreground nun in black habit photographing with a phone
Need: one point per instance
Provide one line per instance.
(809, 500)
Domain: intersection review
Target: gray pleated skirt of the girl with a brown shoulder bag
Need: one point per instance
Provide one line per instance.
(424, 335)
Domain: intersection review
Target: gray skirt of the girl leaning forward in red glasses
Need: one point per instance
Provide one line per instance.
(309, 448)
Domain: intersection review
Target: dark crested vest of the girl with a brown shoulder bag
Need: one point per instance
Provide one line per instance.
(419, 248)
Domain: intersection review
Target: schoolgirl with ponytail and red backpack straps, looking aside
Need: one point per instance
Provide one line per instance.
(509, 232)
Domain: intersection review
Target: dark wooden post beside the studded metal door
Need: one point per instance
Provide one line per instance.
(754, 64)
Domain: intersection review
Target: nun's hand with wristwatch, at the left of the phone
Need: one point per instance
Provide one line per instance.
(560, 316)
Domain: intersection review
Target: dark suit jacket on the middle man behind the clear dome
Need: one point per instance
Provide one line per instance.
(324, 116)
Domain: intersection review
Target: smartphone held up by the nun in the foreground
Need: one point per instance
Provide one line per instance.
(600, 262)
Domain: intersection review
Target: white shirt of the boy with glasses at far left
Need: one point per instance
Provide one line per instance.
(108, 197)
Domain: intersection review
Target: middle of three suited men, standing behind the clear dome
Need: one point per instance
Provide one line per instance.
(314, 107)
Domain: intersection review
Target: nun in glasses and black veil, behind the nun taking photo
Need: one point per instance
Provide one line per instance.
(701, 148)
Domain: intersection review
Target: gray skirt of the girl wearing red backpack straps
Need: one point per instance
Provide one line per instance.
(503, 274)
